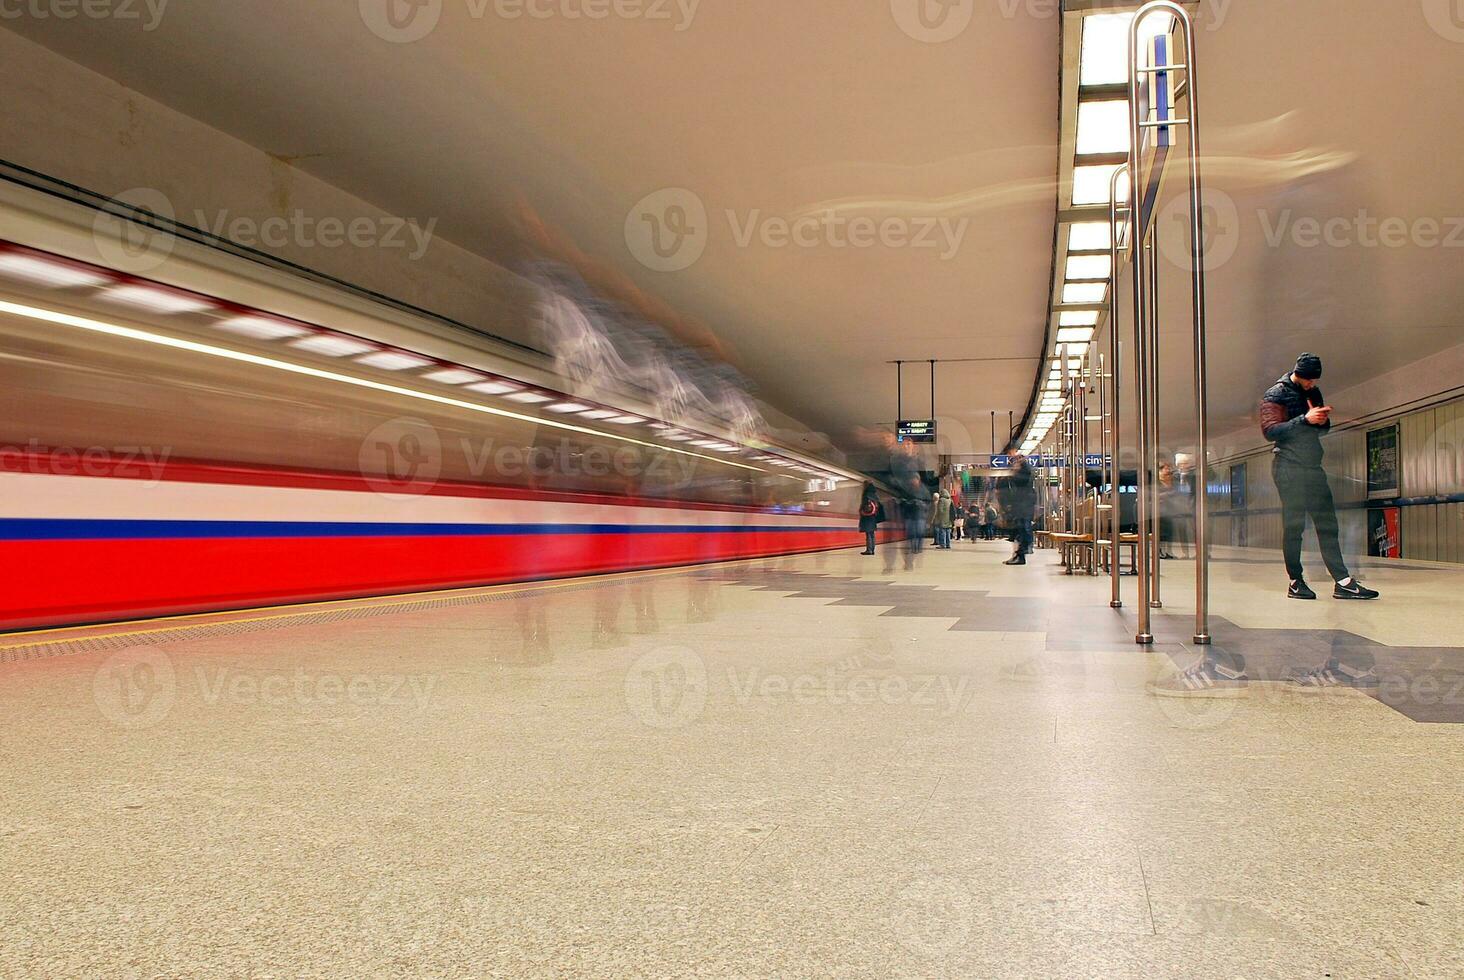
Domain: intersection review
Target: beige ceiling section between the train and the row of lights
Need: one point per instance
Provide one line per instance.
(765, 111)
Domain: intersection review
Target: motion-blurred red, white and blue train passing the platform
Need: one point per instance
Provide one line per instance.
(206, 431)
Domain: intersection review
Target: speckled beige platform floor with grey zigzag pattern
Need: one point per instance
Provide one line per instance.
(810, 767)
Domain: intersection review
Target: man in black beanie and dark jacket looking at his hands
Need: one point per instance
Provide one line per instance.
(1295, 417)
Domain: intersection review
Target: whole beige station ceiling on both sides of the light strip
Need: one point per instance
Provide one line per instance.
(701, 150)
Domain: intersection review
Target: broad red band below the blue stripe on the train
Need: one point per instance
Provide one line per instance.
(68, 582)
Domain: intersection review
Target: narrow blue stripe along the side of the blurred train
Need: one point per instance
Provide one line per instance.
(65, 530)
